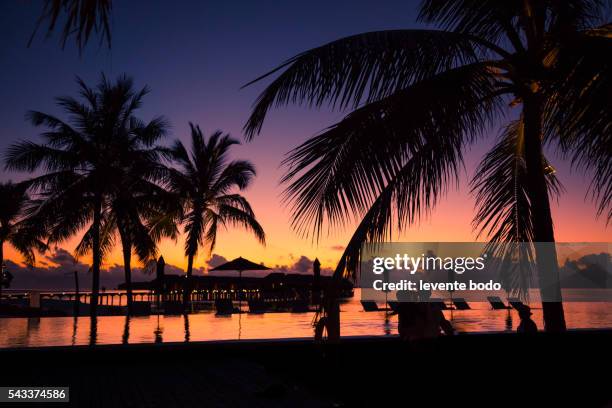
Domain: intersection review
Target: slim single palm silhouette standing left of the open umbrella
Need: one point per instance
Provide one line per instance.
(205, 180)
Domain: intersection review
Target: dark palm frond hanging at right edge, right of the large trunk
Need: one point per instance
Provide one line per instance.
(579, 114)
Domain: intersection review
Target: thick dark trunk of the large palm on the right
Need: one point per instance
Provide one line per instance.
(546, 254)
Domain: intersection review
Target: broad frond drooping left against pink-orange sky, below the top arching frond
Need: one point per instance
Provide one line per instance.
(342, 170)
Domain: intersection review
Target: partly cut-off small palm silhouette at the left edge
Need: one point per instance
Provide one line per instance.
(14, 228)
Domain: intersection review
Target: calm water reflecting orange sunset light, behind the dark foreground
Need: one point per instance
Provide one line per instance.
(55, 331)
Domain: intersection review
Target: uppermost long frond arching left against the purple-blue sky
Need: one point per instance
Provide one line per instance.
(361, 68)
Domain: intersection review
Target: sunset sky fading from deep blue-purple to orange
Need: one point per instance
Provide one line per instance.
(195, 57)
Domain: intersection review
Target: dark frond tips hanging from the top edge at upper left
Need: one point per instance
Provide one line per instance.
(80, 19)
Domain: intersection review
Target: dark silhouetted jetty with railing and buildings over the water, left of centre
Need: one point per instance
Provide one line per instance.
(165, 294)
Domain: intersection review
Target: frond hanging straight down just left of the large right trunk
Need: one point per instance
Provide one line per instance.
(504, 211)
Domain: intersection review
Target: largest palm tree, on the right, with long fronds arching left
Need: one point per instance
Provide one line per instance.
(421, 96)
